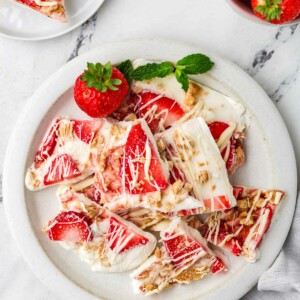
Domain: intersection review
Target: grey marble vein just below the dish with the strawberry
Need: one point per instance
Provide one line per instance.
(264, 55)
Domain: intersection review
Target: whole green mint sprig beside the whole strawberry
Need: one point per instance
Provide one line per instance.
(189, 65)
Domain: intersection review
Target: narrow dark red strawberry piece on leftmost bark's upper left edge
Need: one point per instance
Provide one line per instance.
(48, 146)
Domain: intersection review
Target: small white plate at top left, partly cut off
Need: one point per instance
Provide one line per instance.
(22, 23)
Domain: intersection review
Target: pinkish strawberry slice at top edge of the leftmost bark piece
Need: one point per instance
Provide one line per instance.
(86, 130)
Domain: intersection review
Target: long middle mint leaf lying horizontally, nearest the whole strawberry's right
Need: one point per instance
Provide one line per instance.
(153, 70)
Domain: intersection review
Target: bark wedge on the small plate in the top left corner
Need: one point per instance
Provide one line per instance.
(54, 9)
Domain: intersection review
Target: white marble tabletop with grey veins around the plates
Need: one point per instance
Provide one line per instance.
(270, 54)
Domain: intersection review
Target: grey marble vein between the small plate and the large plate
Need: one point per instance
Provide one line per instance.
(85, 36)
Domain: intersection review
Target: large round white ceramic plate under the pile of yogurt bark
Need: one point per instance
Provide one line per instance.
(270, 164)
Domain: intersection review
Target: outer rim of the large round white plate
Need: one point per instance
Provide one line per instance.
(9, 207)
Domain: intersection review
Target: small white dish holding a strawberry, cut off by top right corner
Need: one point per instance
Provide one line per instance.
(243, 8)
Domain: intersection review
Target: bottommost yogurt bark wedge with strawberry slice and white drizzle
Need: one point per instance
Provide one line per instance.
(183, 258)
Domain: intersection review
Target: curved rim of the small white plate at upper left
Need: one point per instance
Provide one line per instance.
(52, 36)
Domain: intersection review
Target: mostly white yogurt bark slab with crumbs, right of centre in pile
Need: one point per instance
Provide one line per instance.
(197, 161)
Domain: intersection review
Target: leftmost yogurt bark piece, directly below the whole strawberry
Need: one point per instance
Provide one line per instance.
(69, 150)
